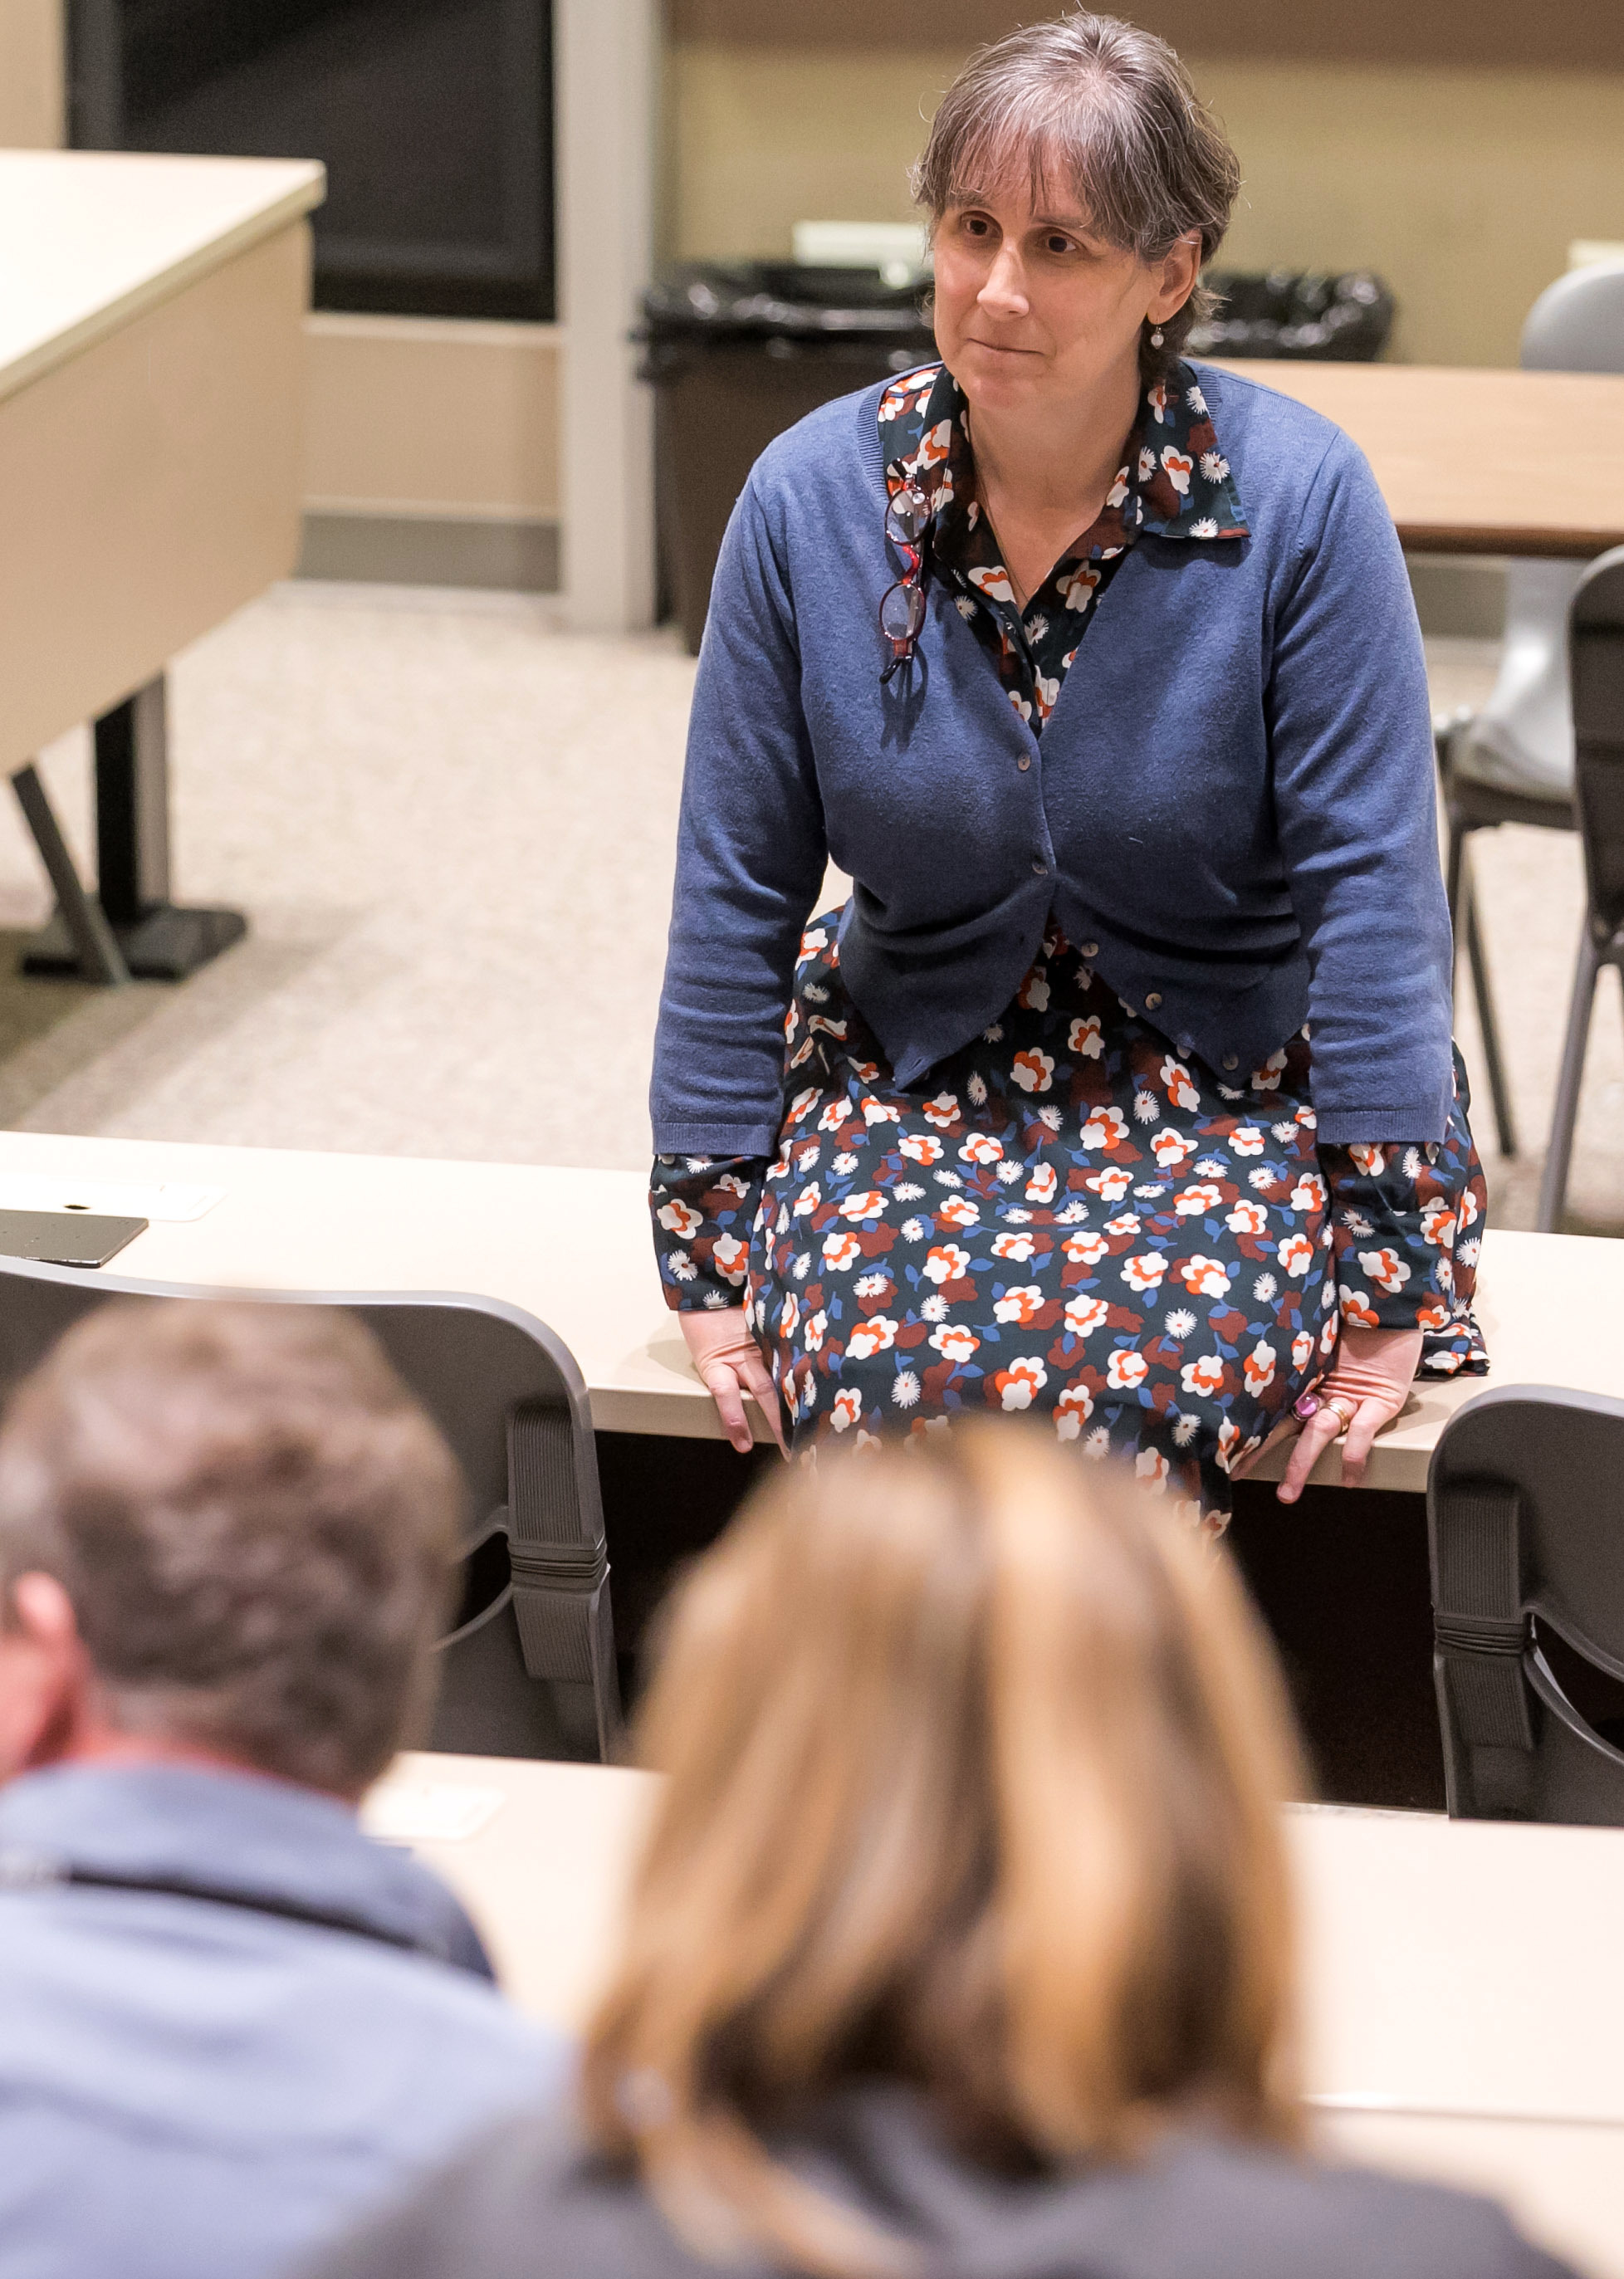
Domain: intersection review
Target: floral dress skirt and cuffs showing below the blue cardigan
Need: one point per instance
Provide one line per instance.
(1179, 1325)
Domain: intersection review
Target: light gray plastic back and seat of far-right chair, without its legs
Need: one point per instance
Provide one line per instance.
(1527, 726)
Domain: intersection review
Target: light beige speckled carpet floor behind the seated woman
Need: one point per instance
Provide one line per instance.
(452, 828)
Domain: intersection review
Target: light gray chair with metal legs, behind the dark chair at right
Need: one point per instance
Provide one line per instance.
(1514, 762)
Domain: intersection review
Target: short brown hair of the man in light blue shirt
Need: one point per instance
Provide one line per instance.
(256, 1526)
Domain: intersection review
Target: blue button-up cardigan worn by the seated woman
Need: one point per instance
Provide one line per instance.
(1233, 797)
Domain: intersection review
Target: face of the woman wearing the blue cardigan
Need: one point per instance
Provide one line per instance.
(1033, 309)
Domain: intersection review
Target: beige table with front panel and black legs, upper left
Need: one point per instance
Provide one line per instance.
(151, 427)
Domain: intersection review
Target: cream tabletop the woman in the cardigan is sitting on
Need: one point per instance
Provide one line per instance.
(575, 1250)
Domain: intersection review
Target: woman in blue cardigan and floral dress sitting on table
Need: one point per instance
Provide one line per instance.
(1124, 1086)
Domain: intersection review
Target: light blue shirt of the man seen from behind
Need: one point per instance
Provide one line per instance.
(192, 2091)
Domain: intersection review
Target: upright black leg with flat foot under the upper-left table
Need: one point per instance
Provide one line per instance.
(161, 940)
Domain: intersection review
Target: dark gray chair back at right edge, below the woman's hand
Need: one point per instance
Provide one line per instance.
(1525, 1512)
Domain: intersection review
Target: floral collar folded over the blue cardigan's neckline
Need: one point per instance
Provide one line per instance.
(1174, 484)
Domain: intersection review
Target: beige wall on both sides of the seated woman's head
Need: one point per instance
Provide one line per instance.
(1463, 188)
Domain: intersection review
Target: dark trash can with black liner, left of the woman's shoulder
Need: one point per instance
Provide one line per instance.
(739, 354)
